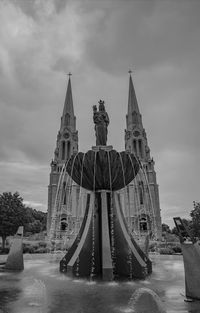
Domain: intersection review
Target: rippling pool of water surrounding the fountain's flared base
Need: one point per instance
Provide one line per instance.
(41, 288)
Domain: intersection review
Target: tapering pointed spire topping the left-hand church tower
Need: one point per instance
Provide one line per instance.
(68, 118)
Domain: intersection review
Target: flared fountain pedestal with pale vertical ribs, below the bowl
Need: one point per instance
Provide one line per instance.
(104, 248)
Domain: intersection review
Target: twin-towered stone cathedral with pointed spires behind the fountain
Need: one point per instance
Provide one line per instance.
(140, 200)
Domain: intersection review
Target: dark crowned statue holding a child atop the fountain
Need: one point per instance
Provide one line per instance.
(101, 121)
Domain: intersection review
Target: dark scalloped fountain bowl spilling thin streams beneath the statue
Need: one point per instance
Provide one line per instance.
(103, 170)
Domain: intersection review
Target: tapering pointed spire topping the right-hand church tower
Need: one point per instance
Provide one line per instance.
(133, 117)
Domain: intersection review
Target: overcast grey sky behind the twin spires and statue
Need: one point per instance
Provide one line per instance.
(99, 41)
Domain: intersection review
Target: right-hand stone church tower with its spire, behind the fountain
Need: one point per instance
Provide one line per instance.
(143, 191)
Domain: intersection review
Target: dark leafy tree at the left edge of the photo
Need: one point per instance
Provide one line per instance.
(12, 214)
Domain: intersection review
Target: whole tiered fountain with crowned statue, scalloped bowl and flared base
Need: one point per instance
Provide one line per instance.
(104, 247)
